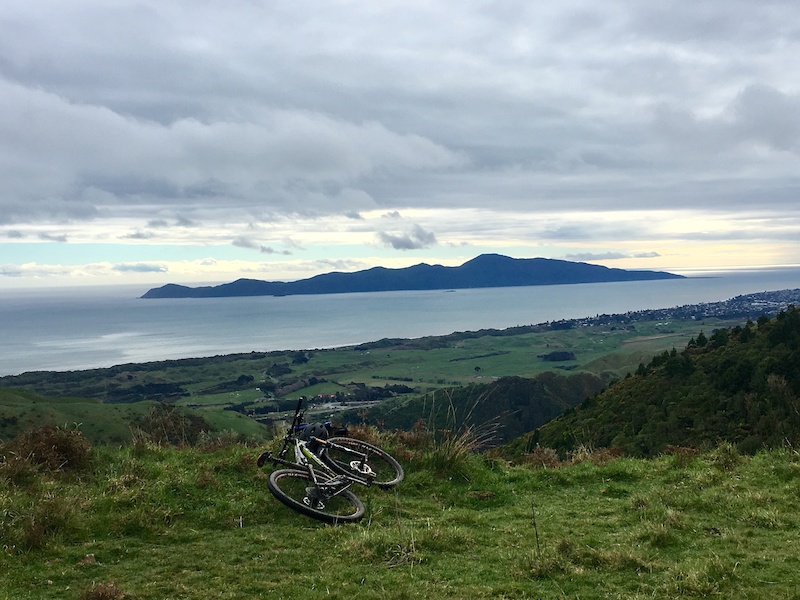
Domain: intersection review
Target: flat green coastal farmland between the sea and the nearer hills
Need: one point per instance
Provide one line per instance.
(112, 399)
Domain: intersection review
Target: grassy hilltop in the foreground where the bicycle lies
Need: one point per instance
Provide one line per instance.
(155, 522)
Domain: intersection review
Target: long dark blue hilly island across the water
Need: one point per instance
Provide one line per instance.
(486, 270)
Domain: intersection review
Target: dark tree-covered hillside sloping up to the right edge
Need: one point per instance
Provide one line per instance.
(740, 385)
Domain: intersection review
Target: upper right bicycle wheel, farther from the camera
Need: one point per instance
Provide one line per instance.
(340, 455)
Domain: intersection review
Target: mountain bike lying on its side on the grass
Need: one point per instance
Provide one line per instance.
(317, 482)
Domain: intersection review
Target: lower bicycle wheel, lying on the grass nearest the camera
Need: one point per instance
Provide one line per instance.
(296, 490)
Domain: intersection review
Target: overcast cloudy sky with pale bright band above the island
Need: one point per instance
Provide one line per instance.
(200, 142)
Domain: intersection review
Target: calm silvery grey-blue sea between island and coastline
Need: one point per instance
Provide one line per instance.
(63, 329)
